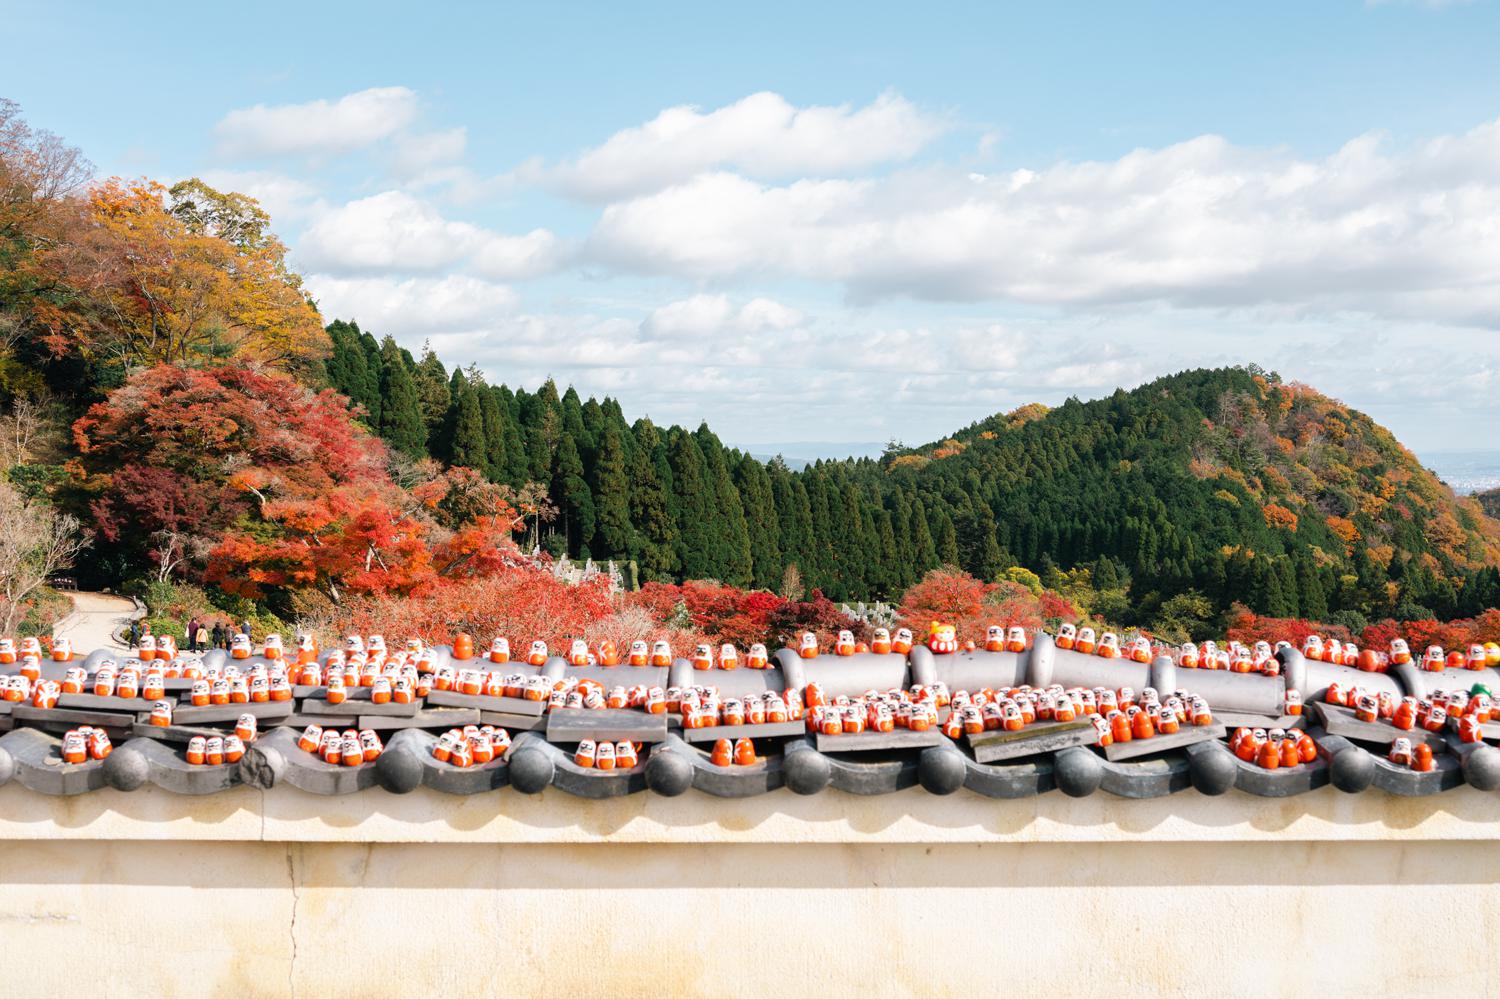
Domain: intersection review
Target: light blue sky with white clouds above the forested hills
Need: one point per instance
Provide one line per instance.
(845, 223)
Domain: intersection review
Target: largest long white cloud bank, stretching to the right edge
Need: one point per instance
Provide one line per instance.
(1201, 224)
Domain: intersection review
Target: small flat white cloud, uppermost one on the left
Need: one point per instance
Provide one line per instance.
(317, 127)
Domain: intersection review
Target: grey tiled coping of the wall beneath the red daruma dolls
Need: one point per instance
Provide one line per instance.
(1351, 755)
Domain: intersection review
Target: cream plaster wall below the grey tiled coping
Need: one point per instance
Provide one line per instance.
(374, 895)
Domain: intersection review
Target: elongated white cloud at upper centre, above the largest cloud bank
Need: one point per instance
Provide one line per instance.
(761, 136)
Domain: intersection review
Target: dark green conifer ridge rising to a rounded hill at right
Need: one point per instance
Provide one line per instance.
(1211, 485)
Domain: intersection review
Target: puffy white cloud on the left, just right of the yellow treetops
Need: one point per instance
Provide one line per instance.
(398, 233)
